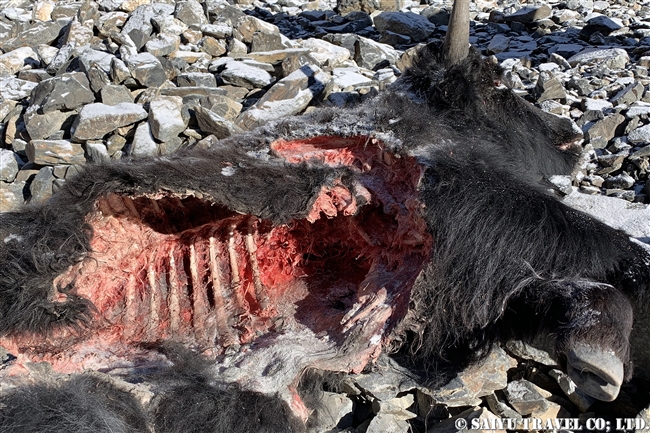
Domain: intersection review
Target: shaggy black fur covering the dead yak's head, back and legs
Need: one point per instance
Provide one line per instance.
(509, 260)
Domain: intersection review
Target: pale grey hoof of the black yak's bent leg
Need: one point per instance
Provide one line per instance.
(596, 372)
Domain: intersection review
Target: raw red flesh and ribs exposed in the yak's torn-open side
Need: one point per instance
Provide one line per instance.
(183, 269)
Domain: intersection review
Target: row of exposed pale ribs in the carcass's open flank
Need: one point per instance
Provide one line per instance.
(201, 284)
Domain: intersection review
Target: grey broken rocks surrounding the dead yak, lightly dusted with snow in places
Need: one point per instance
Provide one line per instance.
(91, 81)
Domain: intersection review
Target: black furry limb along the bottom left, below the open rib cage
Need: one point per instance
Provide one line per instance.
(187, 401)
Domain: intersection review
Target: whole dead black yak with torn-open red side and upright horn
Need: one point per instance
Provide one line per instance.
(315, 242)
